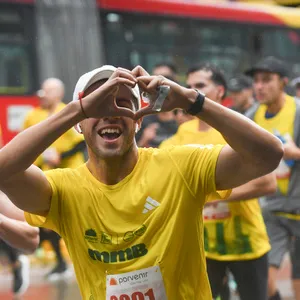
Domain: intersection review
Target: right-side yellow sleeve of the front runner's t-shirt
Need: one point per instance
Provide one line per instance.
(197, 164)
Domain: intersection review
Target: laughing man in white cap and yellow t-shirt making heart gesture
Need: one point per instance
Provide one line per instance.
(130, 217)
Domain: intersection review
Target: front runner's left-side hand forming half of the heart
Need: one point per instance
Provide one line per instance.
(102, 102)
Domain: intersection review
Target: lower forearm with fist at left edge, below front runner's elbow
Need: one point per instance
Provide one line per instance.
(19, 234)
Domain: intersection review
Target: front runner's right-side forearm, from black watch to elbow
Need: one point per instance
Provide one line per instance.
(243, 135)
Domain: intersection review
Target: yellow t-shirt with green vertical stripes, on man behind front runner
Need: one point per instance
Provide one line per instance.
(232, 231)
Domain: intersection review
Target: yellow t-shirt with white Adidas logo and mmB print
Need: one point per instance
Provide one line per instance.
(150, 218)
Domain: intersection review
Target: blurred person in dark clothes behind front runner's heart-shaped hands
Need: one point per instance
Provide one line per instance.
(157, 128)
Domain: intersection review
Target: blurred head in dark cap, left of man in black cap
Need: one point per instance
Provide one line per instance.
(241, 93)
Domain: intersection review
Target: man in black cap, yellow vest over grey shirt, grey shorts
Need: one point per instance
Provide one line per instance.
(279, 114)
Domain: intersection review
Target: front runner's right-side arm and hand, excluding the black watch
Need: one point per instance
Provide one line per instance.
(251, 151)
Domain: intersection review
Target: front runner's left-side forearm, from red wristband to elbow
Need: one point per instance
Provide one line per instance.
(35, 140)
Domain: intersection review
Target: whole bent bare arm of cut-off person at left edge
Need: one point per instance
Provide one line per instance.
(13, 228)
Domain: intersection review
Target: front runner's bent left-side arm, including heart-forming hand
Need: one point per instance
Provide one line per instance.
(26, 185)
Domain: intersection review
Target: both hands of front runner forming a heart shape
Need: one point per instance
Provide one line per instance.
(102, 102)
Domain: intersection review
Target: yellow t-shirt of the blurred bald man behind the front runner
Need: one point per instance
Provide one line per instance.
(64, 143)
